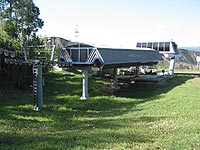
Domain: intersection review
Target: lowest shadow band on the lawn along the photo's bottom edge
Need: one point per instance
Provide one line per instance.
(97, 140)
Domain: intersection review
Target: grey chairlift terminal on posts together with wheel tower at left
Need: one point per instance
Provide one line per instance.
(85, 57)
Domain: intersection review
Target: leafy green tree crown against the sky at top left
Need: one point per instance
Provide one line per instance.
(19, 23)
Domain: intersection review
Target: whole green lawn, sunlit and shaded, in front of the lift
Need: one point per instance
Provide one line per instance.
(138, 116)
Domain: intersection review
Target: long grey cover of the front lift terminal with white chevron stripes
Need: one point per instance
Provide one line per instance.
(111, 57)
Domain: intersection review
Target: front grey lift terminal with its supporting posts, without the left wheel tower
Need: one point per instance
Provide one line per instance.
(112, 58)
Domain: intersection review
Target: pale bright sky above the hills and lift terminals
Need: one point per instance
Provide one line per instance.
(122, 22)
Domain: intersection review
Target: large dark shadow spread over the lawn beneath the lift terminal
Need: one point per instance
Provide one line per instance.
(68, 123)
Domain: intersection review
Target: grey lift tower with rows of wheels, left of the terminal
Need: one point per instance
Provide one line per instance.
(37, 64)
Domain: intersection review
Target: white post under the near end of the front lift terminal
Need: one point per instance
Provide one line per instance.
(85, 95)
